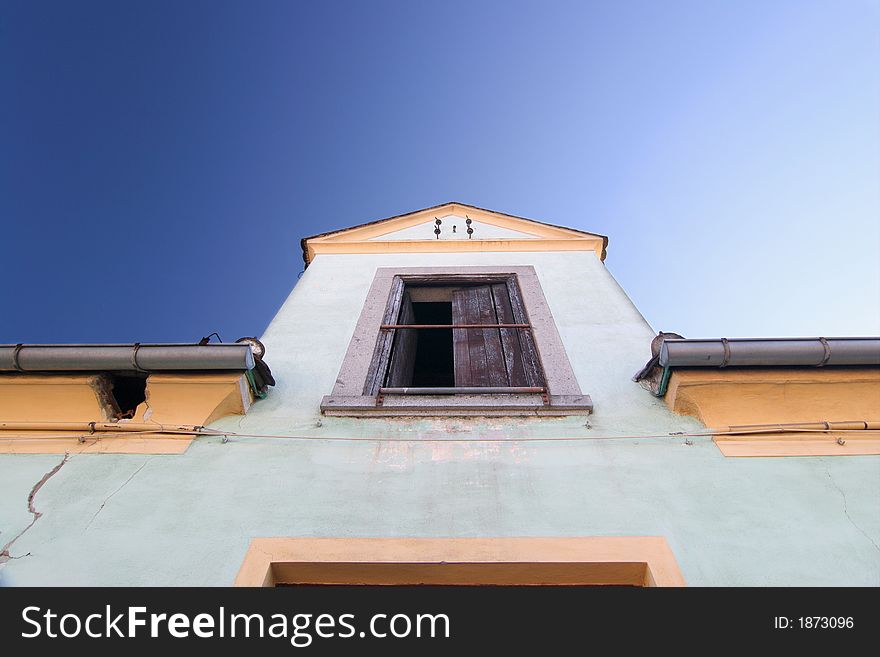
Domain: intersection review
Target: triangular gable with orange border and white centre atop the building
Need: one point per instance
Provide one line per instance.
(413, 232)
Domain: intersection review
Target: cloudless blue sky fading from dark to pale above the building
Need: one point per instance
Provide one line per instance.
(159, 161)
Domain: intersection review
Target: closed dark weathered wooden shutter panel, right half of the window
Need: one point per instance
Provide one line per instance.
(491, 357)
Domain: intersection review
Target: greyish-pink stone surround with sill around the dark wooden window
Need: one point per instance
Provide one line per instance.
(353, 395)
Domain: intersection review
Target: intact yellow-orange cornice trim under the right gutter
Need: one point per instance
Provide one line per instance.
(729, 397)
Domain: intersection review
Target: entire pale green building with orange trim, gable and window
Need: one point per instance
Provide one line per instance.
(522, 453)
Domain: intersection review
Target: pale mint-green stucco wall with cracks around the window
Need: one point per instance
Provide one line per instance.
(187, 519)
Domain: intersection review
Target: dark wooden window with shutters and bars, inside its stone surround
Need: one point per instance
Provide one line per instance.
(432, 342)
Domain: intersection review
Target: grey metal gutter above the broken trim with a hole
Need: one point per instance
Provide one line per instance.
(125, 357)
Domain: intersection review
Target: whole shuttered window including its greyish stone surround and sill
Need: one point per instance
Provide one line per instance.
(456, 341)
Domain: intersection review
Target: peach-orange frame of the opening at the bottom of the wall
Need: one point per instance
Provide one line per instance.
(639, 561)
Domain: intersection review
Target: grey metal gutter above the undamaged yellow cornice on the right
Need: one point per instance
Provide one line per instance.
(770, 352)
